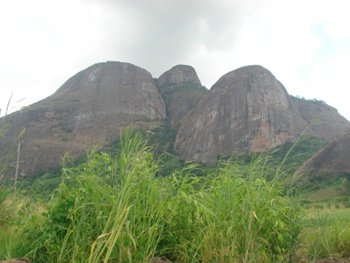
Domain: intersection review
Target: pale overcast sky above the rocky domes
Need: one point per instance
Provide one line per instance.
(304, 43)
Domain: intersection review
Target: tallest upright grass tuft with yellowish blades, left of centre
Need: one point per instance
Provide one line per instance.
(133, 228)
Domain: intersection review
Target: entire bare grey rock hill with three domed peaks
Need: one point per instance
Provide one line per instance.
(247, 110)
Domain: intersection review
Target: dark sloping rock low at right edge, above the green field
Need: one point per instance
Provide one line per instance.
(333, 159)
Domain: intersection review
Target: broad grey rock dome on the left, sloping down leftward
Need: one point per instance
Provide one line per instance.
(90, 109)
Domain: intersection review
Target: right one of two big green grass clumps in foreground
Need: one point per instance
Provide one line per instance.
(235, 215)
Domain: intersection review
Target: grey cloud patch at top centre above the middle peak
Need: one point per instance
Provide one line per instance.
(159, 34)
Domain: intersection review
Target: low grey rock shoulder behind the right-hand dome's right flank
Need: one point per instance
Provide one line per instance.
(323, 120)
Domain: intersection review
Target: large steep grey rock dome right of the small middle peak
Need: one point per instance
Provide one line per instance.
(247, 110)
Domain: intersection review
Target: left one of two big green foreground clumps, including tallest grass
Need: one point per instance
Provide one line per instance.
(104, 209)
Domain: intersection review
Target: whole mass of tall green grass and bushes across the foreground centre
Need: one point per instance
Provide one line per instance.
(116, 209)
